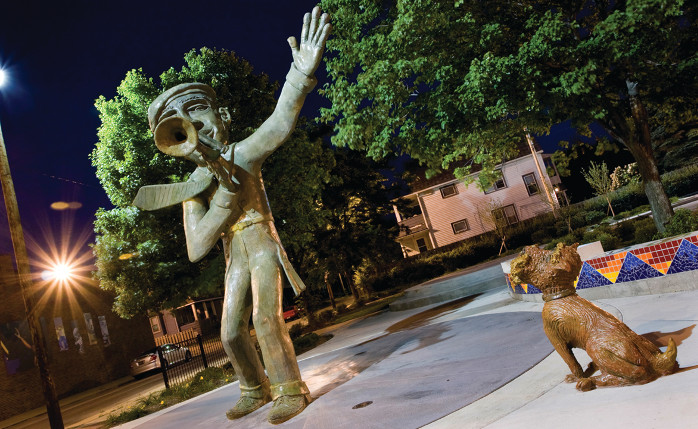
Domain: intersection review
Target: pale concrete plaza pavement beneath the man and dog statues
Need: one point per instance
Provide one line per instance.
(477, 362)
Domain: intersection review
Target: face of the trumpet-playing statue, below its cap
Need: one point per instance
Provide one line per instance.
(200, 111)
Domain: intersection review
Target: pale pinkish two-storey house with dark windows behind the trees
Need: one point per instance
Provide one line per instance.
(451, 211)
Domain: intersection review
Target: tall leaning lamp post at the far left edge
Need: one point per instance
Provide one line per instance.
(26, 285)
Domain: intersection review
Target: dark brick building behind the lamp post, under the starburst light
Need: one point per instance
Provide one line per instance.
(87, 344)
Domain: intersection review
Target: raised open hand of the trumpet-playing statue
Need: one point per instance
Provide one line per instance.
(315, 31)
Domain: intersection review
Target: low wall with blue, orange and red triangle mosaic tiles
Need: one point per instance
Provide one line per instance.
(655, 259)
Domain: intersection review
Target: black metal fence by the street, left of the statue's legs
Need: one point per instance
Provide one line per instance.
(184, 354)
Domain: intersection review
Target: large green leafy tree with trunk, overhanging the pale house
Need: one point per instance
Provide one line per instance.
(460, 80)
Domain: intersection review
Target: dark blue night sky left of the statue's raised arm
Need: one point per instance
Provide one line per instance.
(61, 56)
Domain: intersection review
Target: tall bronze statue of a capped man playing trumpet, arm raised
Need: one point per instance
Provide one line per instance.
(225, 199)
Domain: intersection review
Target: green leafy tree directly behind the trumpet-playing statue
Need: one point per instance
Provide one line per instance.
(142, 255)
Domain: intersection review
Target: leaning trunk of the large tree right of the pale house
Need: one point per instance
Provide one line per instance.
(640, 145)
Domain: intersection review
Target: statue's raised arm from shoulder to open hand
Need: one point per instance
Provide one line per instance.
(299, 82)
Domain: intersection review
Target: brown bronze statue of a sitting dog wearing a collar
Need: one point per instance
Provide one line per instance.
(621, 356)
